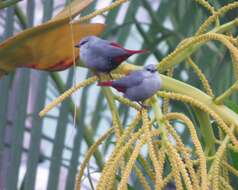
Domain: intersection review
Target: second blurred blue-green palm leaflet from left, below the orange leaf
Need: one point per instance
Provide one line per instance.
(17, 133)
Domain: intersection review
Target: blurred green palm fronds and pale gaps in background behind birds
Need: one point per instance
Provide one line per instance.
(45, 153)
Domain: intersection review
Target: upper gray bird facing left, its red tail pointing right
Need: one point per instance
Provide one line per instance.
(102, 55)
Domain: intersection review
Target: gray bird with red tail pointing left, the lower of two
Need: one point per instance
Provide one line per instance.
(138, 85)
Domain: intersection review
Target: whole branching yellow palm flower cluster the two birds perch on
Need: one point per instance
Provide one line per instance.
(193, 168)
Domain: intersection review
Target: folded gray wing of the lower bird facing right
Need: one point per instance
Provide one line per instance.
(133, 79)
